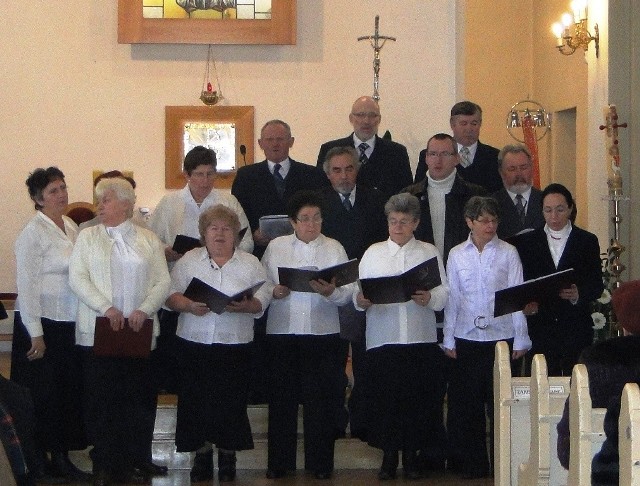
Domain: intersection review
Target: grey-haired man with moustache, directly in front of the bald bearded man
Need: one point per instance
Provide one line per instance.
(353, 214)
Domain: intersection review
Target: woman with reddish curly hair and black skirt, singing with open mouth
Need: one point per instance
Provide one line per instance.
(214, 350)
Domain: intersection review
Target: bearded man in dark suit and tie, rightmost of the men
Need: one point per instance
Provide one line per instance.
(520, 203)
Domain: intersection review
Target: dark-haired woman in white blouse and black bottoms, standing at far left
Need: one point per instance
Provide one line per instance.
(45, 358)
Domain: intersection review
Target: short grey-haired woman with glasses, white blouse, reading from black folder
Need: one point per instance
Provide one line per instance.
(402, 349)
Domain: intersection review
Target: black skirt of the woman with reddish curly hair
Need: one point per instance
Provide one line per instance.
(213, 396)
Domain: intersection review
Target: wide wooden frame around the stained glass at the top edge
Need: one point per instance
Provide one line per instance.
(133, 28)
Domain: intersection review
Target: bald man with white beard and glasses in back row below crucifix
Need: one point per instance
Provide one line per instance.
(385, 164)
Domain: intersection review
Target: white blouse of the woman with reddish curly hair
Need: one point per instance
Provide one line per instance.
(242, 271)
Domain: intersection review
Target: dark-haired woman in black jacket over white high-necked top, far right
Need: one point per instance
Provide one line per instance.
(561, 327)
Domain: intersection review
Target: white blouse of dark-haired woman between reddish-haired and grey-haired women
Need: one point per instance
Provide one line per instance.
(305, 312)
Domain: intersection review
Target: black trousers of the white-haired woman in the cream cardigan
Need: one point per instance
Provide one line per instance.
(118, 419)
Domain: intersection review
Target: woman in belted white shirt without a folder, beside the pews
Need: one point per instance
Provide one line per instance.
(476, 269)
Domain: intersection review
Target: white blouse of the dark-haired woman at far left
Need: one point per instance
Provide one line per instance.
(42, 256)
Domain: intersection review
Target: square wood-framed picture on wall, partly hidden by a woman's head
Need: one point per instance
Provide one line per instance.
(228, 130)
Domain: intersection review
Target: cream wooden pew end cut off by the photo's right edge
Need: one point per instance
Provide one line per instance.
(629, 435)
